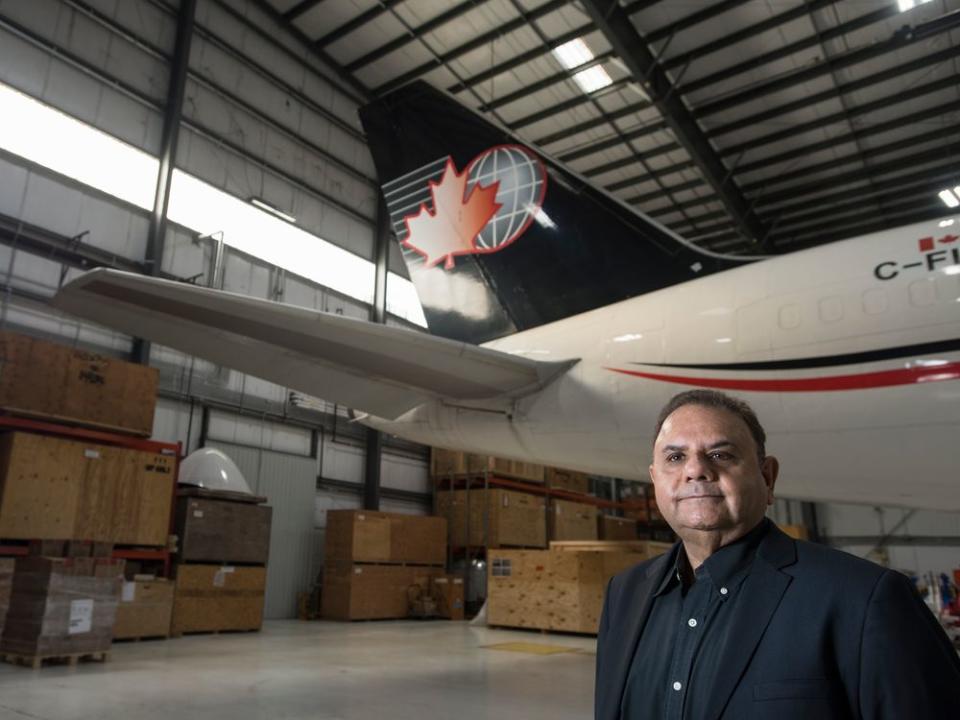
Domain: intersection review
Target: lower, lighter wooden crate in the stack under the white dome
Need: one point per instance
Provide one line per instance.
(215, 598)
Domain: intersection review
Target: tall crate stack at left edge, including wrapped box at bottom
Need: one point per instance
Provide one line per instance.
(77, 496)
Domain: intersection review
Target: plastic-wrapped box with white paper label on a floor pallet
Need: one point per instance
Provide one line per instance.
(62, 606)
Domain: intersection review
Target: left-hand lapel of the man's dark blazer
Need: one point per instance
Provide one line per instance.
(635, 605)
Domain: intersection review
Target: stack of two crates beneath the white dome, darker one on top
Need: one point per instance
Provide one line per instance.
(223, 546)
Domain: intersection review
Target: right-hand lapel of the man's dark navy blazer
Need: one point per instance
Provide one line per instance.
(760, 595)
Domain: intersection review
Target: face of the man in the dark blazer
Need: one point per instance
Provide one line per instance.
(707, 475)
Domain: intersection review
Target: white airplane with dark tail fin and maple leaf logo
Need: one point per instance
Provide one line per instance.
(561, 320)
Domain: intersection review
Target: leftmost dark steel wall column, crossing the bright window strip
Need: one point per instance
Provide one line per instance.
(168, 152)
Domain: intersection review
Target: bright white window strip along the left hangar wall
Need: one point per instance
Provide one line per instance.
(37, 132)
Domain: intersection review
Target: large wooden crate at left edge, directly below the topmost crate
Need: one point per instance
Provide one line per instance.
(53, 488)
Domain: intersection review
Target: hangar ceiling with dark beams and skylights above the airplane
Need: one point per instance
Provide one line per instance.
(743, 125)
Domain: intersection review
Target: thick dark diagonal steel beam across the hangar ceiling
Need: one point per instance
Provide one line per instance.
(615, 24)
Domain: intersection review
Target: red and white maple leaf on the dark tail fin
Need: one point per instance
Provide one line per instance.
(452, 228)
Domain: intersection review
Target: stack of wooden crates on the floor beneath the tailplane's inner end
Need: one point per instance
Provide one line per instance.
(372, 561)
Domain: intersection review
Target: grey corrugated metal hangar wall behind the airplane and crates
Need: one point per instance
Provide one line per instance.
(262, 118)
